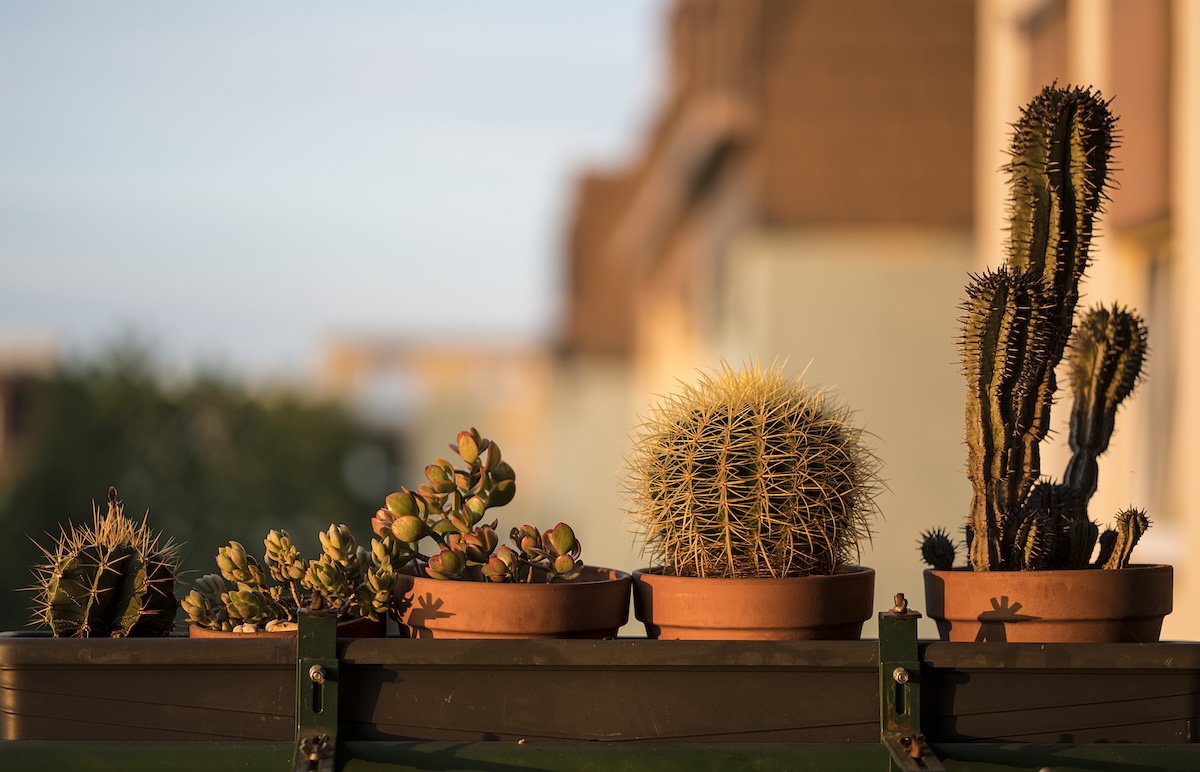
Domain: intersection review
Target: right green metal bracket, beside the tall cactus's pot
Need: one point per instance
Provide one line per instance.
(901, 691)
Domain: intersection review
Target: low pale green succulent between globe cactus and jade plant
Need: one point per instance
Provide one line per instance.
(249, 596)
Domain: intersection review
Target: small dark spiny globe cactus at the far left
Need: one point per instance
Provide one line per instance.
(110, 579)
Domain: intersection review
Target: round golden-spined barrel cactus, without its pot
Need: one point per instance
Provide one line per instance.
(752, 474)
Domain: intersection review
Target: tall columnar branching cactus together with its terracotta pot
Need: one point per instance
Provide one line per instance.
(1030, 541)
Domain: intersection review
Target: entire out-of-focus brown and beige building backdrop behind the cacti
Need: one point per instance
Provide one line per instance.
(814, 188)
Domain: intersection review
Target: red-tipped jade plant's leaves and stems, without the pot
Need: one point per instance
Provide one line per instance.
(448, 512)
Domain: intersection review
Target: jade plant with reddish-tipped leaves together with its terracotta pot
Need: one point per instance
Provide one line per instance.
(470, 585)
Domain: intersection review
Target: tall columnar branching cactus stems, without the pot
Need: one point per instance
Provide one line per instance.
(1019, 324)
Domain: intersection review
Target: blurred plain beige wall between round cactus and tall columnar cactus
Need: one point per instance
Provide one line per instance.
(874, 315)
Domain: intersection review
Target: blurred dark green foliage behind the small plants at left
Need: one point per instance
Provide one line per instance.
(208, 460)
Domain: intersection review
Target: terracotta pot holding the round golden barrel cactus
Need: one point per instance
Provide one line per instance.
(803, 608)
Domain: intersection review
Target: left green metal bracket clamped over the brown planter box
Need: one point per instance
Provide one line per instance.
(316, 692)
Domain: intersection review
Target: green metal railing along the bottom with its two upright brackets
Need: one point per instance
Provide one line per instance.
(317, 746)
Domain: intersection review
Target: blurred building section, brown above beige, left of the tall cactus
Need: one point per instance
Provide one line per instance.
(806, 194)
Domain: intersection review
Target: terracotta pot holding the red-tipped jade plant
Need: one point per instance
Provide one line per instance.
(593, 606)
